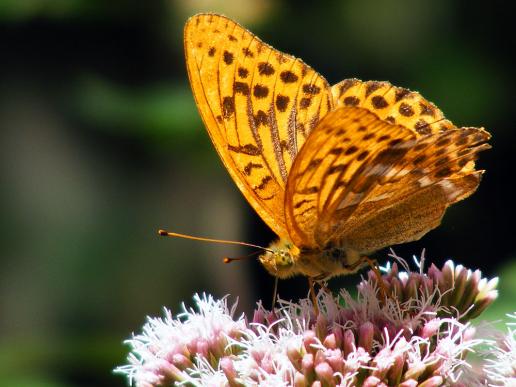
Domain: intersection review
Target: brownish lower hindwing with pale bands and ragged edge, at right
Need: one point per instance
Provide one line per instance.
(411, 198)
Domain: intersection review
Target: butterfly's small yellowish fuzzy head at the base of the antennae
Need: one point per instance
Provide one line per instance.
(280, 259)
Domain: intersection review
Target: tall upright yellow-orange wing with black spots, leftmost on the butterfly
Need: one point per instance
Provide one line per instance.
(258, 105)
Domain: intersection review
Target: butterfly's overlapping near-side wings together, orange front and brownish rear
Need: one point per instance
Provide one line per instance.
(395, 193)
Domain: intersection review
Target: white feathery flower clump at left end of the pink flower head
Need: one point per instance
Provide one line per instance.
(168, 347)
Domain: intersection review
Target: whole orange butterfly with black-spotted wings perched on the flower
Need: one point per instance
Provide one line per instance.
(337, 172)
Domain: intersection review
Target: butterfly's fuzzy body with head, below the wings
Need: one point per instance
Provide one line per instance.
(283, 260)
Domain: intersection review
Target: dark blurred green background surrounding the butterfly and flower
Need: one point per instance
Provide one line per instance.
(101, 144)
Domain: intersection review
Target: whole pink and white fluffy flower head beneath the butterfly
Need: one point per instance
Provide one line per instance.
(416, 332)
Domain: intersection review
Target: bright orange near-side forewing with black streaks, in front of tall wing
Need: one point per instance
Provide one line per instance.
(335, 152)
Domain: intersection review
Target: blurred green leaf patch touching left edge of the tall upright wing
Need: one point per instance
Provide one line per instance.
(164, 115)
